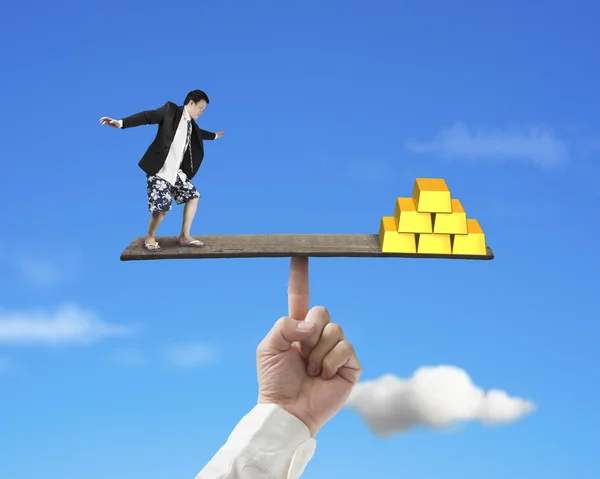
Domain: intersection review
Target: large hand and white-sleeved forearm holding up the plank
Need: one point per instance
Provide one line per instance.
(306, 372)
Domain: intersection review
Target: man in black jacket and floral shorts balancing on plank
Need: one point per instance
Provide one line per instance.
(171, 161)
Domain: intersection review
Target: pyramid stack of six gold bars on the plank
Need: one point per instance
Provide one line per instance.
(431, 222)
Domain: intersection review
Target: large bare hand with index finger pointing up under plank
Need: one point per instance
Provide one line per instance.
(304, 364)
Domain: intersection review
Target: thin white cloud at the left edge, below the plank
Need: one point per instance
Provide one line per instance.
(69, 324)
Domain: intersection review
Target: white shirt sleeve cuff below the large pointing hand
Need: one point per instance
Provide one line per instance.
(268, 443)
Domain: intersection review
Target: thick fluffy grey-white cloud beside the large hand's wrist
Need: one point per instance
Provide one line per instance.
(434, 397)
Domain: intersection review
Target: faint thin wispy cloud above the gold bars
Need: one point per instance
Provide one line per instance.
(535, 144)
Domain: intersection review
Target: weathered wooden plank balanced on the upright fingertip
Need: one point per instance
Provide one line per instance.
(275, 246)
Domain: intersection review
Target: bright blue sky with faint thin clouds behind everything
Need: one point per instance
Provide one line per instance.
(331, 110)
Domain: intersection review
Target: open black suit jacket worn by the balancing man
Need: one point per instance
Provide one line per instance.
(167, 118)
